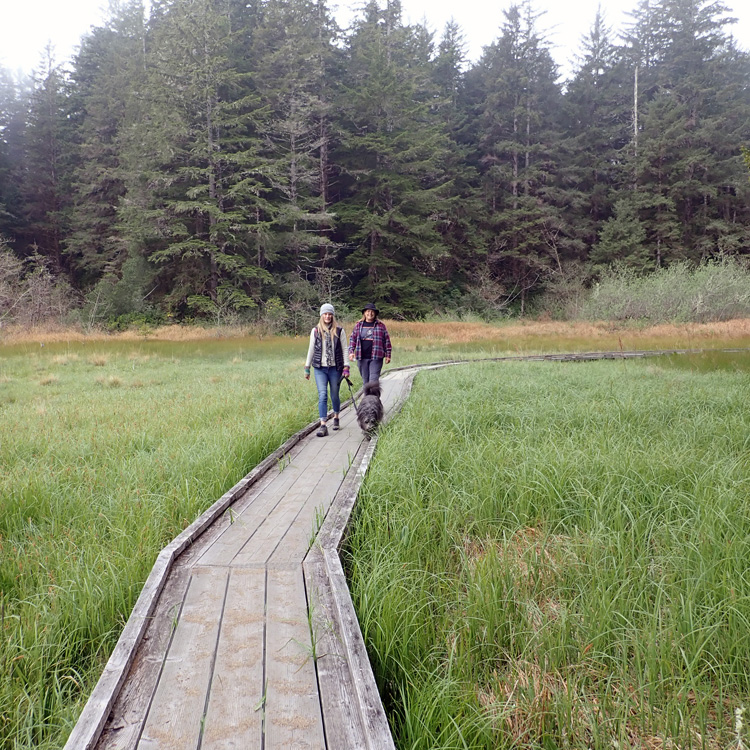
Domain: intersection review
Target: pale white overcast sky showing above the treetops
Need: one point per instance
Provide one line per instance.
(27, 25)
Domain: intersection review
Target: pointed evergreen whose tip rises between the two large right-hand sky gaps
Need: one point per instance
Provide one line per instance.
(519, 139)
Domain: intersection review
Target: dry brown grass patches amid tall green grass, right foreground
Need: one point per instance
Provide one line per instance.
(524, 695)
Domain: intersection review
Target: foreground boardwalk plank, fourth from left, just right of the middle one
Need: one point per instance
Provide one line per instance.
(292, 707)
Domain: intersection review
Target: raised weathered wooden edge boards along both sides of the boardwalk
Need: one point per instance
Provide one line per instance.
(90, 724)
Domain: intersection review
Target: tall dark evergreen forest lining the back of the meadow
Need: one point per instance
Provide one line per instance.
(239, 159)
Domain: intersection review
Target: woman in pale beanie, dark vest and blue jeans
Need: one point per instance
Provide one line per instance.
(326, 355)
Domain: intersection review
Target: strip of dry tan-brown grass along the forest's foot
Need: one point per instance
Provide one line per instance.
(438, 333)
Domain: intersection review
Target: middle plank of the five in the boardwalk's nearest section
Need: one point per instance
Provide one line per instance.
(234, 720)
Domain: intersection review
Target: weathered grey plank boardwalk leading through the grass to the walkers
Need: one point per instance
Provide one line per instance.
(251, 641)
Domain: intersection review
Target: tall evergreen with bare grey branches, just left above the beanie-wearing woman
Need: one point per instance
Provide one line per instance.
(293, 58)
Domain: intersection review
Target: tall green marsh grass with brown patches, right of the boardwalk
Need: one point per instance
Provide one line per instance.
(560, 558)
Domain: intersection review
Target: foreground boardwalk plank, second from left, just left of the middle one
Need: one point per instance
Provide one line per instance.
(175, 718)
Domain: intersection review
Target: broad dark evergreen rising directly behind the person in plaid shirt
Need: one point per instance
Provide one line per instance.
(393, 158)
